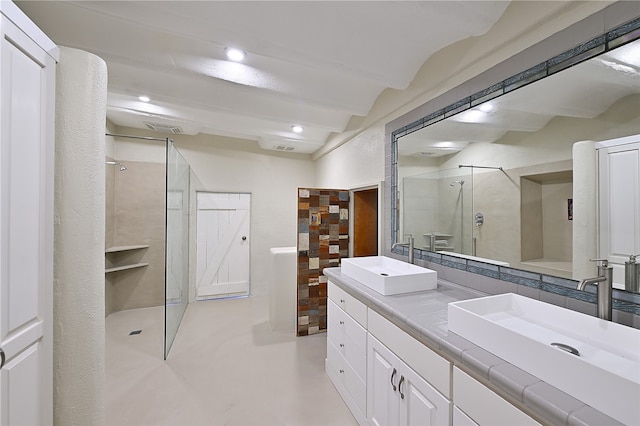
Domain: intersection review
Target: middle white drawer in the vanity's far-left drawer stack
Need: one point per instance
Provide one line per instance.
(348, 337)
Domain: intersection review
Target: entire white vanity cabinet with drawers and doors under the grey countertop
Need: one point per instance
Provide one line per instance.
(387, 377)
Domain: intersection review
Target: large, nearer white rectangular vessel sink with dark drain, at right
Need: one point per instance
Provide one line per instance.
(605, 375)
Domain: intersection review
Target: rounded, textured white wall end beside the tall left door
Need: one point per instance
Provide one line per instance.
(79, 333)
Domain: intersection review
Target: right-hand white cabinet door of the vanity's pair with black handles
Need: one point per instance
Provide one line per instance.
(420, 403)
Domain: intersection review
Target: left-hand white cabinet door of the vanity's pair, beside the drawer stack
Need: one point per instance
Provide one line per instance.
(382, 384)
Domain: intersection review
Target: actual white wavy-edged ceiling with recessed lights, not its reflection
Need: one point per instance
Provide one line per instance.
(312, 63)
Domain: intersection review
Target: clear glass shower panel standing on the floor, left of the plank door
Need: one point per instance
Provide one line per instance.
(177, 244)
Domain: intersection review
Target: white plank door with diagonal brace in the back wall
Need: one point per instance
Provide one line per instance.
(222, 247)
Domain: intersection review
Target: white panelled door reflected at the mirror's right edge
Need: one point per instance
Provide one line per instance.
(619, 199)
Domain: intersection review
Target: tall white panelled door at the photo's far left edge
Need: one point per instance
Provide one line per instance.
(26, 229)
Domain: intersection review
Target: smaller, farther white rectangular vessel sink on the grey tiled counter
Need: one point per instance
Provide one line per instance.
(389, 276)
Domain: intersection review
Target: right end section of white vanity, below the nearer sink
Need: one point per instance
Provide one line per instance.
(477, 404)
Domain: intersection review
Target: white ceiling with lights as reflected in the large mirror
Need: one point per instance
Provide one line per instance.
(582, 91)
